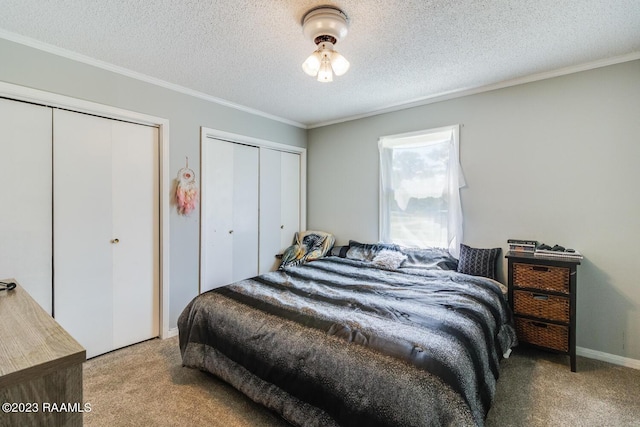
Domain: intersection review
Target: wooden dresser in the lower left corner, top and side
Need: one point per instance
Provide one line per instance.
(40, 366)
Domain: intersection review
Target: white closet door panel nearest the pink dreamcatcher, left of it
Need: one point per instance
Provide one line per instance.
(136, 224)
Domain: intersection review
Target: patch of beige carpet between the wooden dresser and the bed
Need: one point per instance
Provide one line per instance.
(146, 385)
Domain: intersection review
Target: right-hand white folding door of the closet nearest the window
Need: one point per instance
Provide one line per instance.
(279, 204)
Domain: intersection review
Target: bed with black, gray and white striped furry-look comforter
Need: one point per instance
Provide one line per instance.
(355, 339)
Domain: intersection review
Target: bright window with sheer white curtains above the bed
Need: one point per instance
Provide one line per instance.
(420, 178)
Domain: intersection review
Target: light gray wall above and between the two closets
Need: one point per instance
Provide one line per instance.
(25, 66)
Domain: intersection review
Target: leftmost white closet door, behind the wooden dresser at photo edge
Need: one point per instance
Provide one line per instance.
(25, 217)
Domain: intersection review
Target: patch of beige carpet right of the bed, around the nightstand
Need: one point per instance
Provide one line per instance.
(538, 389)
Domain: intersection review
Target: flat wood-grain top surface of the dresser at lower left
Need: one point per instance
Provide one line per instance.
(32, 343)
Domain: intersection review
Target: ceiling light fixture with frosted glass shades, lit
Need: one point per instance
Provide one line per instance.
(325, 25)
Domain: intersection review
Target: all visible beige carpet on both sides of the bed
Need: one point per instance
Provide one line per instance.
(146, 385)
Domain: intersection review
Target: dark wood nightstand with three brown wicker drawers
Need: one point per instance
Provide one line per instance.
(542, 295)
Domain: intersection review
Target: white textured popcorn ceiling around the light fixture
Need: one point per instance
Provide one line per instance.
(249, 52)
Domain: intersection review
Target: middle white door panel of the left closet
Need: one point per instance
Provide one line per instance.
(83, 274)
